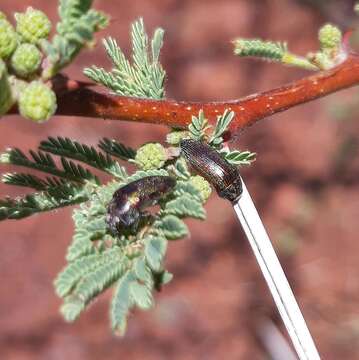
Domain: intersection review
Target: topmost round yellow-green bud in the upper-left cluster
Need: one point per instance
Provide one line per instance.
(33, 25)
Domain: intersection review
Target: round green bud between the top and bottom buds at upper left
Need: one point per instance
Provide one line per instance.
(26, 60)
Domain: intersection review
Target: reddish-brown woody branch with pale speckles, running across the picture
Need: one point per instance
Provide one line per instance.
(83, 101)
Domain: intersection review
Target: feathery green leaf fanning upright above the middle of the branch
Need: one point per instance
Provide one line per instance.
(144, 77)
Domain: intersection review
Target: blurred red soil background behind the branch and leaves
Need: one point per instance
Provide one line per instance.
(305, 183)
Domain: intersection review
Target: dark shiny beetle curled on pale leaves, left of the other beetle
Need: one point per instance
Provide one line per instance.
(125, 208)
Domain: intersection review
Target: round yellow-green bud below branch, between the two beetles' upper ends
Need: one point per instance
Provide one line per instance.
(151, 156)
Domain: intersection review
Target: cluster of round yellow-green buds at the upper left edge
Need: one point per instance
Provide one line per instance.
(21, 58)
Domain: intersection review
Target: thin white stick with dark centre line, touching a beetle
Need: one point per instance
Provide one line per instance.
(275, 277)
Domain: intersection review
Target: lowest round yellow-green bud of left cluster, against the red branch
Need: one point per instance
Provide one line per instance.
(37, 102)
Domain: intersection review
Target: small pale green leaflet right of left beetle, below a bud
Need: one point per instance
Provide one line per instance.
(185, 206)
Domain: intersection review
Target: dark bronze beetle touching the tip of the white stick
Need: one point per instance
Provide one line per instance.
(214, 168)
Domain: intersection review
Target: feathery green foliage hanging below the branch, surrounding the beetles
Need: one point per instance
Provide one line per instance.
(132, 261)
